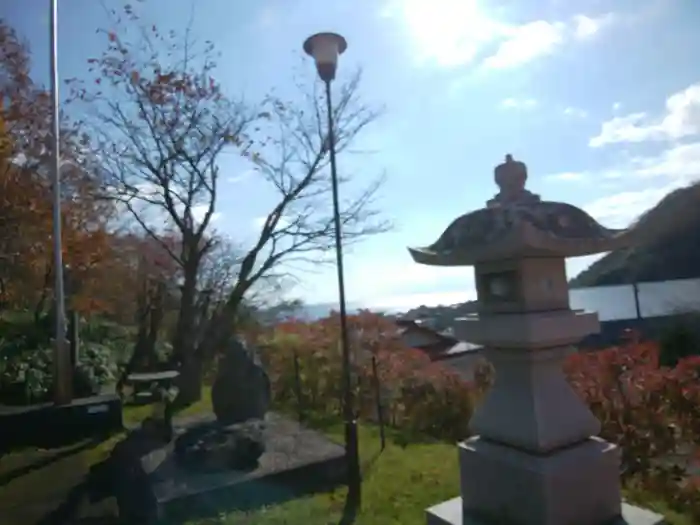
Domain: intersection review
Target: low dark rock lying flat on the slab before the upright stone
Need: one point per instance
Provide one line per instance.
(213, 447)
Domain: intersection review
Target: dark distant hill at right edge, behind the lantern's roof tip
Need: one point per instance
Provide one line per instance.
(671, 247)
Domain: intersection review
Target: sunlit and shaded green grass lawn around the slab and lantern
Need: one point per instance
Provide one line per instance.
(400, 482)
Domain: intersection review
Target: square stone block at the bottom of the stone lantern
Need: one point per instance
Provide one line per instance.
(579, 485)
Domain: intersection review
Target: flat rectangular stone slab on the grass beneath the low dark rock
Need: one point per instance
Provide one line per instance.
(152, 486)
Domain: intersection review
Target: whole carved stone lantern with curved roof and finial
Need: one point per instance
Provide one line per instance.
(535, 458)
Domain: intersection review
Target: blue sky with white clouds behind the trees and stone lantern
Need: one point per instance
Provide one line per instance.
(601, 100)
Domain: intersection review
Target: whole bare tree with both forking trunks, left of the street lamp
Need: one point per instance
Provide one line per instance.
(161, 123)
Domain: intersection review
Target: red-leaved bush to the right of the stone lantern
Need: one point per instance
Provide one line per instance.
(652, 412)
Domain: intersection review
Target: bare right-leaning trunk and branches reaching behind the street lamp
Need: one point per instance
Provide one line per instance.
(299, 230)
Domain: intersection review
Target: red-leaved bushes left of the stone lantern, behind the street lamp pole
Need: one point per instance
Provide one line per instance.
(417, 395)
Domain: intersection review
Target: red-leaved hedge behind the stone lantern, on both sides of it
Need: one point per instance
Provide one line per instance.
(651, 412)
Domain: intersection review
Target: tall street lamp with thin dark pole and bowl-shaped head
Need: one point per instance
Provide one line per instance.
(325, 48)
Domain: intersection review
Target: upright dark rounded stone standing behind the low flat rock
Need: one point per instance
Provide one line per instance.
(241, 390)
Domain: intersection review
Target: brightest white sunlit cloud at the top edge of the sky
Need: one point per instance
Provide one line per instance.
(452, 33)
